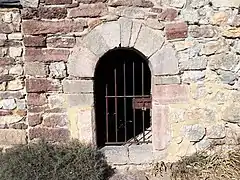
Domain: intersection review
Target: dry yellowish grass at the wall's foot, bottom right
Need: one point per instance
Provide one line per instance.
(203, 166)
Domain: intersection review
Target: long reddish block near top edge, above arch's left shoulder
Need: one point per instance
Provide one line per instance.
(89, 10)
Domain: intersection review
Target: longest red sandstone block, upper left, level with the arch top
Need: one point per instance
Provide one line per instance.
(34, 27)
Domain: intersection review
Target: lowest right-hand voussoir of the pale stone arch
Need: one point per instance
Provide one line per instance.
(165, 62)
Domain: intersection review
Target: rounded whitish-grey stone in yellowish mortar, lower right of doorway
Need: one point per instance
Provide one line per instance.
(194, 133)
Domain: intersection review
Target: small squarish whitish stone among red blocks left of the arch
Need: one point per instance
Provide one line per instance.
(58, 70)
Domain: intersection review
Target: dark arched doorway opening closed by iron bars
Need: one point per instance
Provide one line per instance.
(122, 88)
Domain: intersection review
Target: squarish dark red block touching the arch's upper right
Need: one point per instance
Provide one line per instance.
(176, 30)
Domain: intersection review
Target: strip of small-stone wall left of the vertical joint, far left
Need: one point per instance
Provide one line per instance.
(13, 110)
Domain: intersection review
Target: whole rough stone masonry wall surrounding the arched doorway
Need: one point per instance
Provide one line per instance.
(49, 49)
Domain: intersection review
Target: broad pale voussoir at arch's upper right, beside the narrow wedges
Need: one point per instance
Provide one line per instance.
(149, 41)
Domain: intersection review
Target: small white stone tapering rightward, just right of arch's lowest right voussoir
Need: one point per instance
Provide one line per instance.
(193, 76)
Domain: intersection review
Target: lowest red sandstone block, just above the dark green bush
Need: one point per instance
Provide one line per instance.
(56, 134)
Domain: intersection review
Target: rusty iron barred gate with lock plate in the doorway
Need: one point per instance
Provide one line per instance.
(128, 103)
